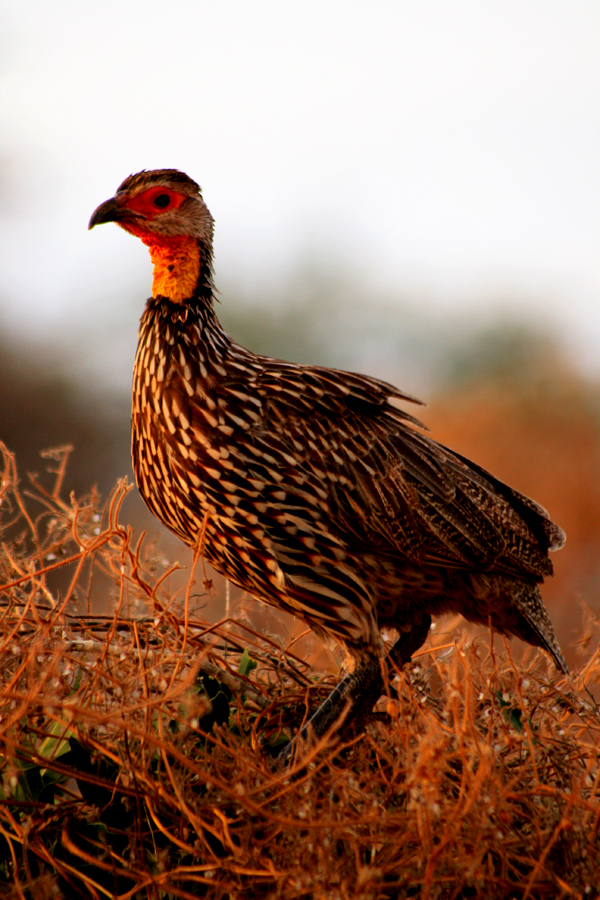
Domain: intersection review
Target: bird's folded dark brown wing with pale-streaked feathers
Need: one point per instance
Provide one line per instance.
(385, 484)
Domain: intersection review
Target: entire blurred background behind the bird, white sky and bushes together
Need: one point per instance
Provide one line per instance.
(406, 189)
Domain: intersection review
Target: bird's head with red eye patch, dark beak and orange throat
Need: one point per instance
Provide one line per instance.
(166, 210)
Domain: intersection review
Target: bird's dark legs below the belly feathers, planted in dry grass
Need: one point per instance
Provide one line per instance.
(358, 691)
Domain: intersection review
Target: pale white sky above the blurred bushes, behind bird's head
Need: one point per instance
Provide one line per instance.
(451, 149)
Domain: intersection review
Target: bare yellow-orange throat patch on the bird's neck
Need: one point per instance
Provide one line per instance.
(176, 266)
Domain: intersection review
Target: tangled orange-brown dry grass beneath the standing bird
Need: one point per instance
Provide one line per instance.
(128, 770)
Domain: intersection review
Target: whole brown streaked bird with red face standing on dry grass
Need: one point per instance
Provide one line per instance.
(312, 488)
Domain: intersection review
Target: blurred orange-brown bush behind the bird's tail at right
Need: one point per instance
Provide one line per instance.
(529, 417)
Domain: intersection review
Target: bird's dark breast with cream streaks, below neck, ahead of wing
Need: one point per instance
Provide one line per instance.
(186, 428)
